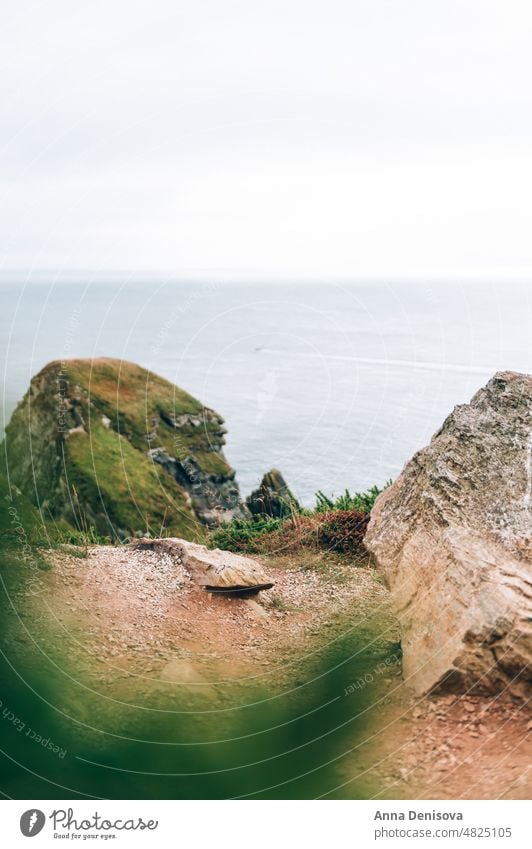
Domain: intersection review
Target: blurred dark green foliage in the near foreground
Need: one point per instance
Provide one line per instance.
(258, 739)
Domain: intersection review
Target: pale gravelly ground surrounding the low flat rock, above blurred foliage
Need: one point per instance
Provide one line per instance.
(140, 614)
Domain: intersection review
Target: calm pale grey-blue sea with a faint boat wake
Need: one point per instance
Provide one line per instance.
(335, 385)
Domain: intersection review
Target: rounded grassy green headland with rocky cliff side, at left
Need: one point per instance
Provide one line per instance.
(106, 443)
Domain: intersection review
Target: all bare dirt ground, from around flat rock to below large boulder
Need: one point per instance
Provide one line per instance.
(139, 628)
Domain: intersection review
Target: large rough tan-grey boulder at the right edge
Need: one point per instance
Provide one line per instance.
(453, 539)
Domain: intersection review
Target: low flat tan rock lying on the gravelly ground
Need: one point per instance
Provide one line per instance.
(211, 568)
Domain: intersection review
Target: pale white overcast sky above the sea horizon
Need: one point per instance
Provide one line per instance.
(339, 138)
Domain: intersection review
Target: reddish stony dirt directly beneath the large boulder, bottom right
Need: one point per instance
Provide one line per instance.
(452, 747)
